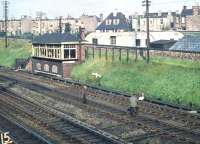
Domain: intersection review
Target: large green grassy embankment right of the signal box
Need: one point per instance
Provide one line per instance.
(171, 80)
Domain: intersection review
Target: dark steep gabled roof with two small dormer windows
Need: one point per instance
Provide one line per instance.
(123, 23)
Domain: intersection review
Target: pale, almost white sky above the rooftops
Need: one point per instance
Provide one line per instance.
(75, 8)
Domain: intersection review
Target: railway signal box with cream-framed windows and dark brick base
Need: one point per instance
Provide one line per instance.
(56, 54)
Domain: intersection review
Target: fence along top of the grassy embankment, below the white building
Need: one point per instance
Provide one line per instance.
(135, 53)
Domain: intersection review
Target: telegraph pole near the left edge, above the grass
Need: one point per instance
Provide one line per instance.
(5, 10)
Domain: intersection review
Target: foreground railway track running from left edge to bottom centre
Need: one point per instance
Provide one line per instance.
(69, 129)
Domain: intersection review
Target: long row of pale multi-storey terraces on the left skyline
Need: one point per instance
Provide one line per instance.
(39, 26)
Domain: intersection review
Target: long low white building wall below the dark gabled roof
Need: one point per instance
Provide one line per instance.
(130, 39)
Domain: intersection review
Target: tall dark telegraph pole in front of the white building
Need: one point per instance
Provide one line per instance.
(147, 4)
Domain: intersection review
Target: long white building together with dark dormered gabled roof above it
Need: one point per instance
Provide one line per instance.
(116, 30)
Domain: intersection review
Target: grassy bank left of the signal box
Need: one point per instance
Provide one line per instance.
(16, 49)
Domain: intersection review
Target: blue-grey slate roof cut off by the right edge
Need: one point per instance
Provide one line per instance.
(187, 43)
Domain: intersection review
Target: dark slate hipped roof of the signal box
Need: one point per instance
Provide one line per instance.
(55, 38)
